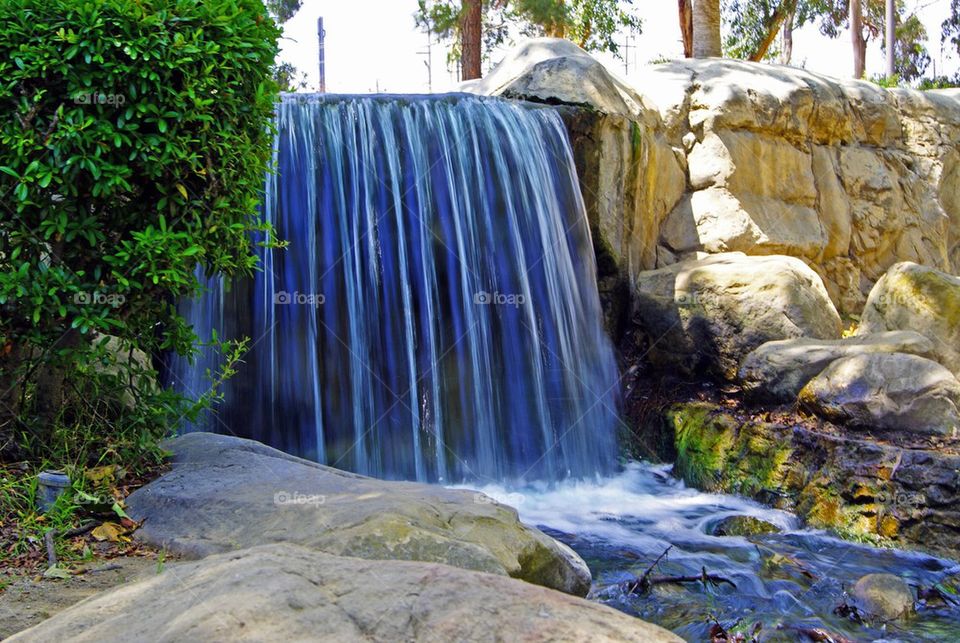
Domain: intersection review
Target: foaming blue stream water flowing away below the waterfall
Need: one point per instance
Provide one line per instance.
(787, 582)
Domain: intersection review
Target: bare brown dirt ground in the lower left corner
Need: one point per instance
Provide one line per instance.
(27, 600)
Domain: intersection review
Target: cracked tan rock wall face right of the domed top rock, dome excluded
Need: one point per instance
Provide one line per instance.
(789, 162)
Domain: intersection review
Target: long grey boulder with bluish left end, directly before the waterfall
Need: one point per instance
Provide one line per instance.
(226, 493)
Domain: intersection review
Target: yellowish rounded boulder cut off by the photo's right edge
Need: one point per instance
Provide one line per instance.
(919, 298)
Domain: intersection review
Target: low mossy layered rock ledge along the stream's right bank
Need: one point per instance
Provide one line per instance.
(870, 491)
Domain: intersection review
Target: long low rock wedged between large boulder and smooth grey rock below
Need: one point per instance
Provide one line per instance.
(778, 370)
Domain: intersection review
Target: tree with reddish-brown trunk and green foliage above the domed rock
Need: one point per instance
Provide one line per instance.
(592, 24)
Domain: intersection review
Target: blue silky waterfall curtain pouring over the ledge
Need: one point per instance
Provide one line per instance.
(435, 315)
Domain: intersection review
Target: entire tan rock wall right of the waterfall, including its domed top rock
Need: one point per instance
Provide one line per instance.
(719, 155)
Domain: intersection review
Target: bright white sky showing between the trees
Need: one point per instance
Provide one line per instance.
(374, 45)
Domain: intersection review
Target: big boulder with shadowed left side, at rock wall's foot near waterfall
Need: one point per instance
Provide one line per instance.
(706, 315)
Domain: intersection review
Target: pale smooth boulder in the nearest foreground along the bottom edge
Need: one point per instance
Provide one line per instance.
(285, 592)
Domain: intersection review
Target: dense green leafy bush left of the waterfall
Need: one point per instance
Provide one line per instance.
(134, 137)
